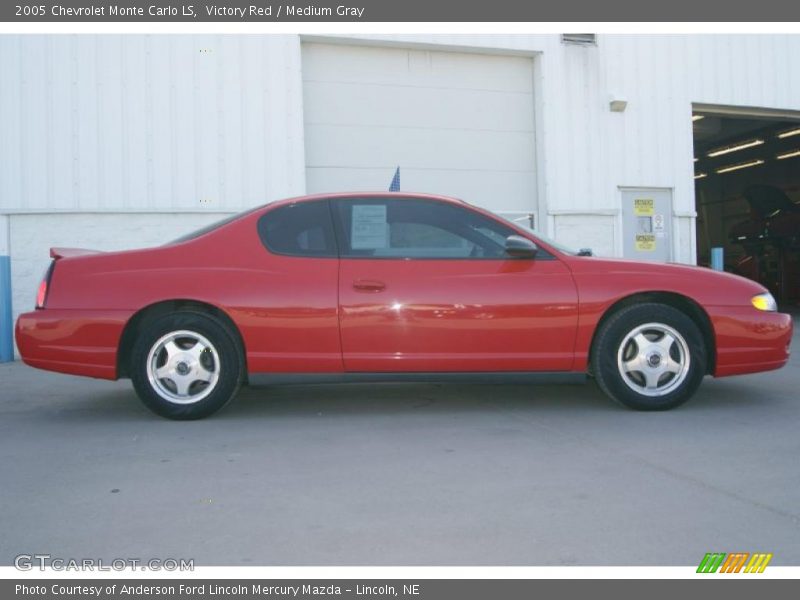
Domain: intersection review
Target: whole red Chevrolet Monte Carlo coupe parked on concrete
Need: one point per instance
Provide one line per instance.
(390, 287)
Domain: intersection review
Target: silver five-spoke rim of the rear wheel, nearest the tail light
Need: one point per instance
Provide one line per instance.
(183, 367)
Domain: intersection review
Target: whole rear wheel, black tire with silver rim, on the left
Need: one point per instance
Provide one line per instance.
(202, 348)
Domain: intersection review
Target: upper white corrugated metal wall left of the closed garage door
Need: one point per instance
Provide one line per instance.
(149, 123)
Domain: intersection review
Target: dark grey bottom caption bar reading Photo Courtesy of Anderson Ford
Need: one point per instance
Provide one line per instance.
(730, 587)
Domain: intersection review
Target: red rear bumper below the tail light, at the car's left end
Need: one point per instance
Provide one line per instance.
(78, 342)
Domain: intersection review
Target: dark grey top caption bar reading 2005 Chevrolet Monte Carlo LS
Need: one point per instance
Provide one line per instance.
(266, 11)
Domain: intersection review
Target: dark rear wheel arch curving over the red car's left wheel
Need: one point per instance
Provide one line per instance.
(164, 307)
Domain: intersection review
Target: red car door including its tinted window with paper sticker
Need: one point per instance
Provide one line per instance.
(425, 285)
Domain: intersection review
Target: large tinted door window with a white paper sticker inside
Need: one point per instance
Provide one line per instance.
(412, 228)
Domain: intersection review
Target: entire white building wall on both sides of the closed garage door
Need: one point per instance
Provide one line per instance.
(203, 125)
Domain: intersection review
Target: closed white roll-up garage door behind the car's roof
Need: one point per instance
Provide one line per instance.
(458, 124)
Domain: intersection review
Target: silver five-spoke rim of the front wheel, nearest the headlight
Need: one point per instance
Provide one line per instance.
(653, 359)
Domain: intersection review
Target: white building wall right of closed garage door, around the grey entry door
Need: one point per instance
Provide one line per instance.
(586, 152)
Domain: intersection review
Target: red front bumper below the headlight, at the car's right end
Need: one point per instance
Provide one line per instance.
(750, 341)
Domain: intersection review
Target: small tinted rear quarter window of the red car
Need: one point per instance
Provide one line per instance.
(301, 229)
